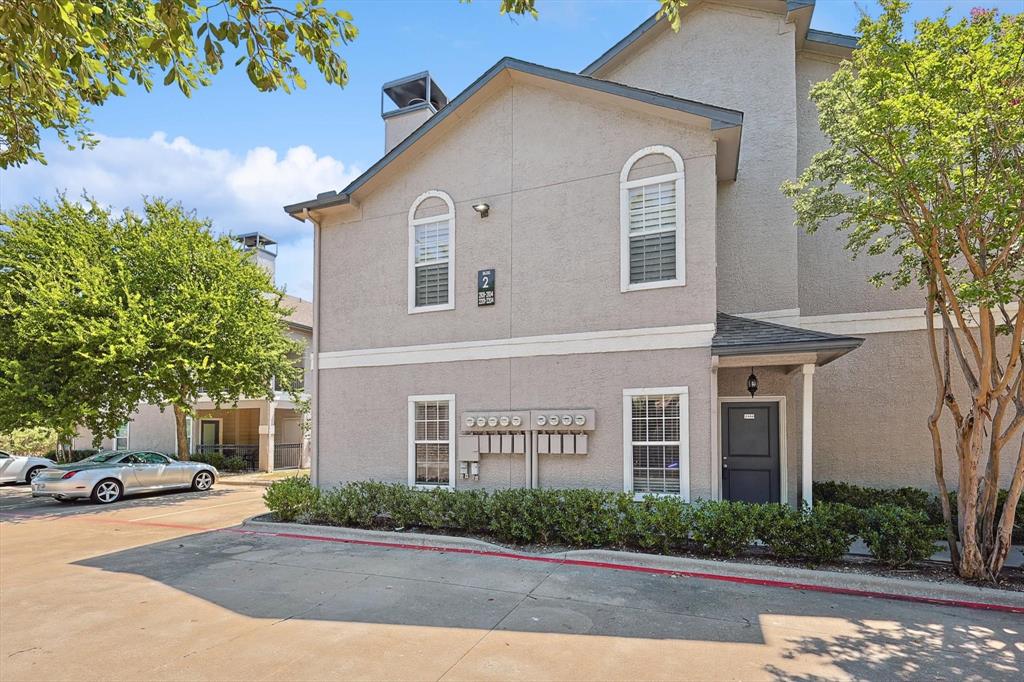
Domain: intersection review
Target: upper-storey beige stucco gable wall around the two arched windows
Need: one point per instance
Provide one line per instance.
(553, 233)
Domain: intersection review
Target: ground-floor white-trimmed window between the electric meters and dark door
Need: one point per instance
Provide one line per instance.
(656, 441)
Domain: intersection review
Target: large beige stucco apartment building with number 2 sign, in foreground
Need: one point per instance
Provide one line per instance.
(568, 280)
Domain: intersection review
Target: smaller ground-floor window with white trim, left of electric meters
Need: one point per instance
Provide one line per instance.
(432, 441)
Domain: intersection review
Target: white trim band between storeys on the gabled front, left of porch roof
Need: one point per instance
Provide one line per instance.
(622, 340)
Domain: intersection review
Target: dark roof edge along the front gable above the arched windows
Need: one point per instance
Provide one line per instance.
(719, 117)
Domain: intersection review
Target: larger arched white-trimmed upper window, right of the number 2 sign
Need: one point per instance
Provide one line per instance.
(653, 225)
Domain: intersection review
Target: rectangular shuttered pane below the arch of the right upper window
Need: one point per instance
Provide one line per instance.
(653, 233)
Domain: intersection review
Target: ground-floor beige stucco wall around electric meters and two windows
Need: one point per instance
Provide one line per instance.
(365, 436)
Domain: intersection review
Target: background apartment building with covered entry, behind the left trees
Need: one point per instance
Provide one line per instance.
(265, 434)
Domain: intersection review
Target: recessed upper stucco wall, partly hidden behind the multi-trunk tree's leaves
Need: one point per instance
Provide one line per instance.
(830, 281)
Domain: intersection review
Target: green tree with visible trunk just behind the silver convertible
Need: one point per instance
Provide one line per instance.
(216, 321)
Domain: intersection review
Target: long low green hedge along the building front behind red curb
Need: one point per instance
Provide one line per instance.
(895, 536)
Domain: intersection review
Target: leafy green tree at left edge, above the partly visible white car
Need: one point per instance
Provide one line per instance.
(70, 326)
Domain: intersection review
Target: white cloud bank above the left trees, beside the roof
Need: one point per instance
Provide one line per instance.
(239, 193)
